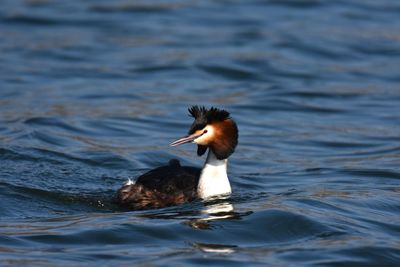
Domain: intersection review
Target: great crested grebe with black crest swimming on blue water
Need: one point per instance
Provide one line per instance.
(212, 129)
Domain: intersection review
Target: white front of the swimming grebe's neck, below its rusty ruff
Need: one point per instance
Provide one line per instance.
(213, 178)
